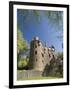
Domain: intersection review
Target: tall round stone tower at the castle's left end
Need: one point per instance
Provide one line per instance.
(36, 61)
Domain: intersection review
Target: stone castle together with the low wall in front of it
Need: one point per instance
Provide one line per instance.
(40, 56)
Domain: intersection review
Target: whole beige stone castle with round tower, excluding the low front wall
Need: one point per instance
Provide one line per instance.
(40, 55)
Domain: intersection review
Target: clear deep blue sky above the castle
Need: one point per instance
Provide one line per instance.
(42, 27)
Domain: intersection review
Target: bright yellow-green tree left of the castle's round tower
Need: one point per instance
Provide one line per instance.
(21, 45)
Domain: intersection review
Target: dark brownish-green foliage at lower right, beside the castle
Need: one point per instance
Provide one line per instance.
(55, 68)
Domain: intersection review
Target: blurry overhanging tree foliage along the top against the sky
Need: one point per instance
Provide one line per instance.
(56, 17)
